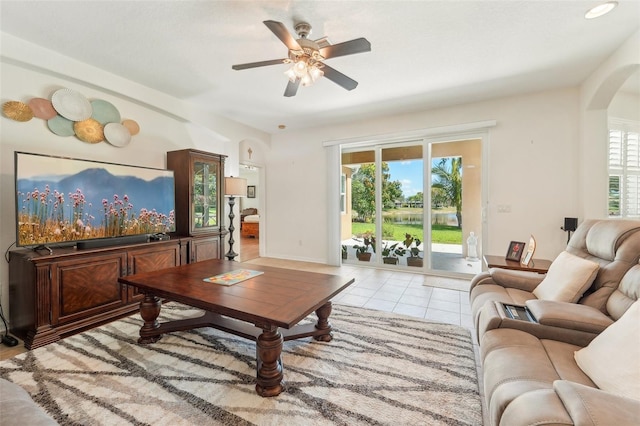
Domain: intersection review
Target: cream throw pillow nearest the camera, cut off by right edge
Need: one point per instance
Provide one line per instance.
(612, 359)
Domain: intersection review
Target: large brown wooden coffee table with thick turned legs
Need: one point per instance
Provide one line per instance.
(268, 307)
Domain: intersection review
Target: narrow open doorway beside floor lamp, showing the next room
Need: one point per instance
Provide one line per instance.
(249, 216)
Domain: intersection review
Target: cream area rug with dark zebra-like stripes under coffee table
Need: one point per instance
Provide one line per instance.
(380, 368)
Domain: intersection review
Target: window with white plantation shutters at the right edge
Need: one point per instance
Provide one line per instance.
(624, 168)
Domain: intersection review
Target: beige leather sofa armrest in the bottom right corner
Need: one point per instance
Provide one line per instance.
(591, 406)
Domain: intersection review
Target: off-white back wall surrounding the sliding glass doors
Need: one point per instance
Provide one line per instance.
(532, 167)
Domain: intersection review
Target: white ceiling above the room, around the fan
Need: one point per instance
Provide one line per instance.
(424, 54)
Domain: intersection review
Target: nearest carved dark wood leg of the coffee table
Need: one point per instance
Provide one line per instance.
(269, 380)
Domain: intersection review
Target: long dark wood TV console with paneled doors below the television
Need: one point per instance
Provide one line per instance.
(52, 296)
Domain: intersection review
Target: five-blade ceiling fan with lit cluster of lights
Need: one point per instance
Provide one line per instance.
(307, 57)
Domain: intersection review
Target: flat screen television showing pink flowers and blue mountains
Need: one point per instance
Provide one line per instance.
(64, 201)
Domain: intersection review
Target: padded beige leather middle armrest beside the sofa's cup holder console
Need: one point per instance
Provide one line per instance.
(569, 315)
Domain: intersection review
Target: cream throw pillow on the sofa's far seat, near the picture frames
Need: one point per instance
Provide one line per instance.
(568, 277)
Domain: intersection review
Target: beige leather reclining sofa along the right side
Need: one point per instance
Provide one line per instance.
(572, 363)
